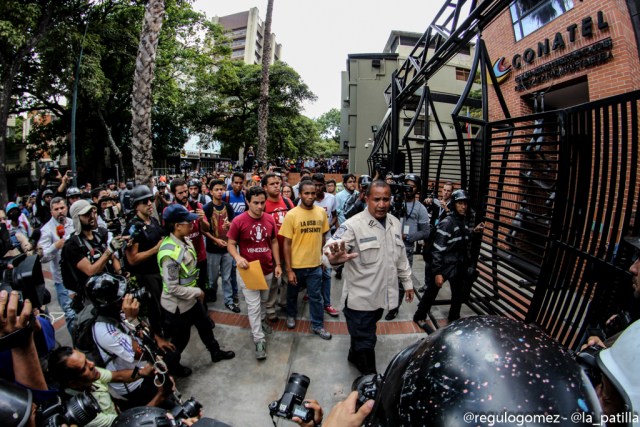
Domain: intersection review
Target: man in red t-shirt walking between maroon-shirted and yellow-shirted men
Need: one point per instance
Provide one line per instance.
(277, 206)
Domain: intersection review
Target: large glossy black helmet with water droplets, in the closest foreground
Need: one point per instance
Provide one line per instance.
(482, 365)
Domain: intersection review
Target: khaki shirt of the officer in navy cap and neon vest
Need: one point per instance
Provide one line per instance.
(175, 296)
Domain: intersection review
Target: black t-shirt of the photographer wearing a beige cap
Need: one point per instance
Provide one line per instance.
(78, 247)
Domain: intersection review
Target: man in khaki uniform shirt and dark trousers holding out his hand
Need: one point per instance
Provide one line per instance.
(371, 248)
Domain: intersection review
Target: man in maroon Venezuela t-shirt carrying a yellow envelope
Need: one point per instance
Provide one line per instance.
(255, 236)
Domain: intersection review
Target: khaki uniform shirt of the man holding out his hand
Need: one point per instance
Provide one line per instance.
(371, 279)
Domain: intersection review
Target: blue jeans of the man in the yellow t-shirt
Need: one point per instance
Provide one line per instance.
(312, 277)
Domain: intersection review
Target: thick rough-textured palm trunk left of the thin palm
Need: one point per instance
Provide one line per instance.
(141, 143)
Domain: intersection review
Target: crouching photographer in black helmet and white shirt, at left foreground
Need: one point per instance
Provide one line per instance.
(114, 336)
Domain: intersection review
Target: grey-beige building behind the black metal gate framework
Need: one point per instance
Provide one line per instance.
(365, 104)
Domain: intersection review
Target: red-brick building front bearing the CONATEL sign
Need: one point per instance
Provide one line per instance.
(569, 51)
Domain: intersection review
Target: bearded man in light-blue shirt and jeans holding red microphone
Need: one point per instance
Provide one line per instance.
(53, 236)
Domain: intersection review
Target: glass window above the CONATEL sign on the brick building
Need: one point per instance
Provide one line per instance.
(529, 15)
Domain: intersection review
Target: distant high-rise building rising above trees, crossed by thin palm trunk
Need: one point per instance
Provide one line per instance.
(246, 31)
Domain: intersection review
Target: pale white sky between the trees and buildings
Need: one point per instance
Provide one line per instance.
(317, 35)
